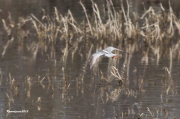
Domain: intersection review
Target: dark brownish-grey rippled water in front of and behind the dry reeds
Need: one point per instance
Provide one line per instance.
(70, 90)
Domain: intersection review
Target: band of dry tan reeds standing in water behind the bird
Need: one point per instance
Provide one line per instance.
(114, 27)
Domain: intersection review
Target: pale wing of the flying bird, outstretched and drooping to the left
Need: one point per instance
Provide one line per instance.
(94, 58)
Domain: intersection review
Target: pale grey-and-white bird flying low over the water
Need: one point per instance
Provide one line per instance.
(107, 52)
